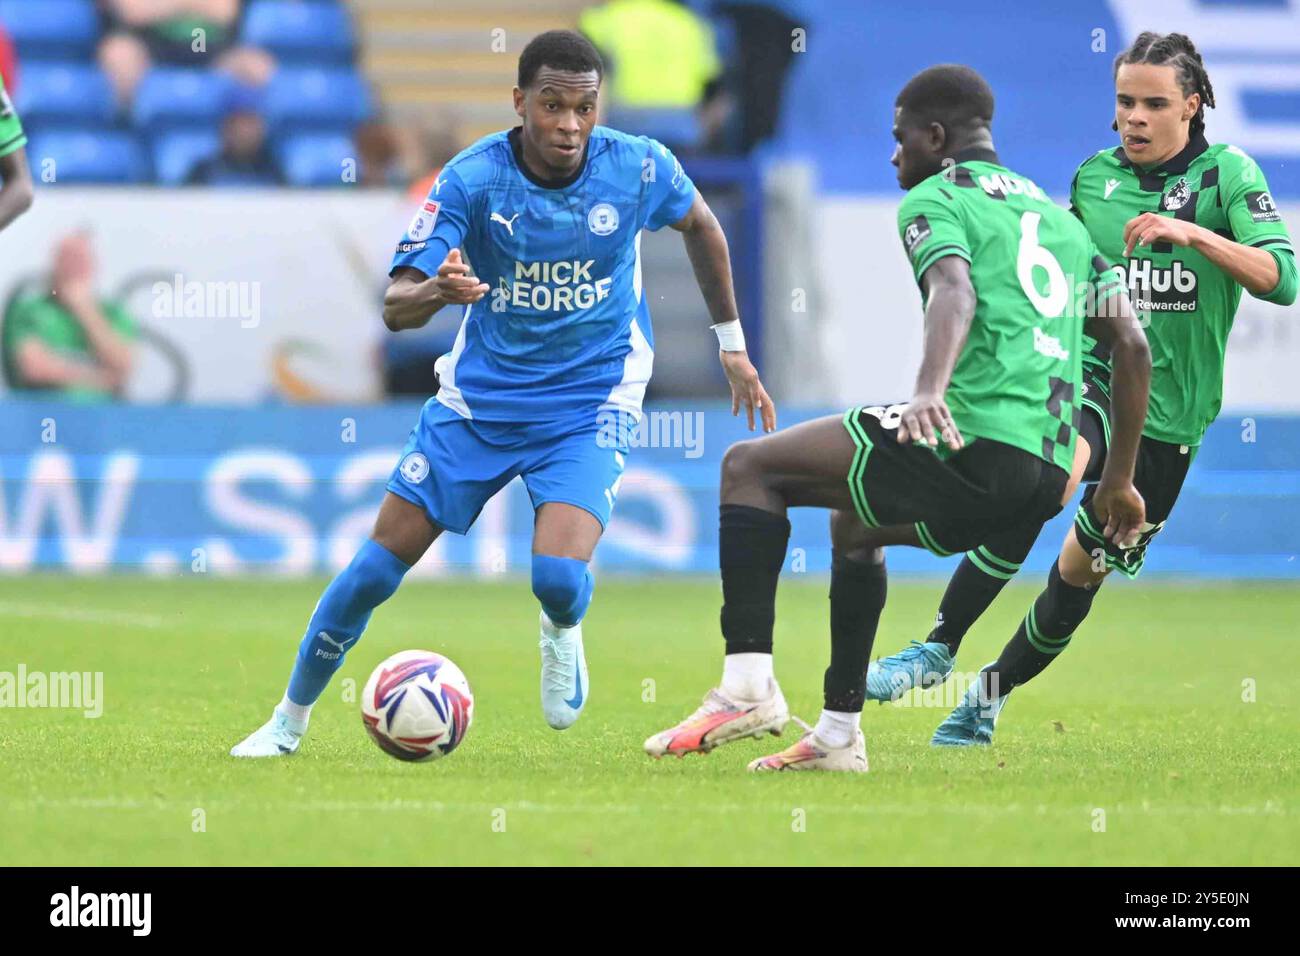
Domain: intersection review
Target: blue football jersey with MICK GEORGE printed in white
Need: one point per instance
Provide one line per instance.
(565, 331)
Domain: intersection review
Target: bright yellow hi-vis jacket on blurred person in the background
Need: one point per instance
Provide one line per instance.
(660, 54)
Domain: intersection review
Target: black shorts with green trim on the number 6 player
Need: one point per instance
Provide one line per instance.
(956, 501)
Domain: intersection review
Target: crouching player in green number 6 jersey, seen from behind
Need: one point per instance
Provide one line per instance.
(1008, 282)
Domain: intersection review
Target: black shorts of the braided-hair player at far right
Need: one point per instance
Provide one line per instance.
(1159, 478)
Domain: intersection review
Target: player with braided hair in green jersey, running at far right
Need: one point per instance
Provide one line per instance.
(1193, 224)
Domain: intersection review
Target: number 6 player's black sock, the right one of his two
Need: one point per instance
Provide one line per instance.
(857, 598)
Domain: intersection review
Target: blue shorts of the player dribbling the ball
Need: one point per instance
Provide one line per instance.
(452, 466)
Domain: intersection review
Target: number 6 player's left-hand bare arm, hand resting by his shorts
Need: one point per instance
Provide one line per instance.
(950, 309)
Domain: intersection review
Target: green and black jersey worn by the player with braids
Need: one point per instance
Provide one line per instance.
(1185, 301)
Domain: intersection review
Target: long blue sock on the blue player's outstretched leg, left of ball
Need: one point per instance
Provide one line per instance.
(340, 618)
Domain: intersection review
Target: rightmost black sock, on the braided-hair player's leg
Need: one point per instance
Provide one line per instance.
(1042, 637)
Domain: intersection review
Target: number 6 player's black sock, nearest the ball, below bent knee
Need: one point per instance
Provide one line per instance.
(751, 553)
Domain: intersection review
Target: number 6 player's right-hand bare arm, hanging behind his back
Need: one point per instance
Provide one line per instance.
(1117, 500)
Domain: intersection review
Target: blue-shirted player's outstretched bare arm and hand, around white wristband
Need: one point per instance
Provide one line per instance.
(707, 245)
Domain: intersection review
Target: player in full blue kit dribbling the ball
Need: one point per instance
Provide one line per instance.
(536, 232)
